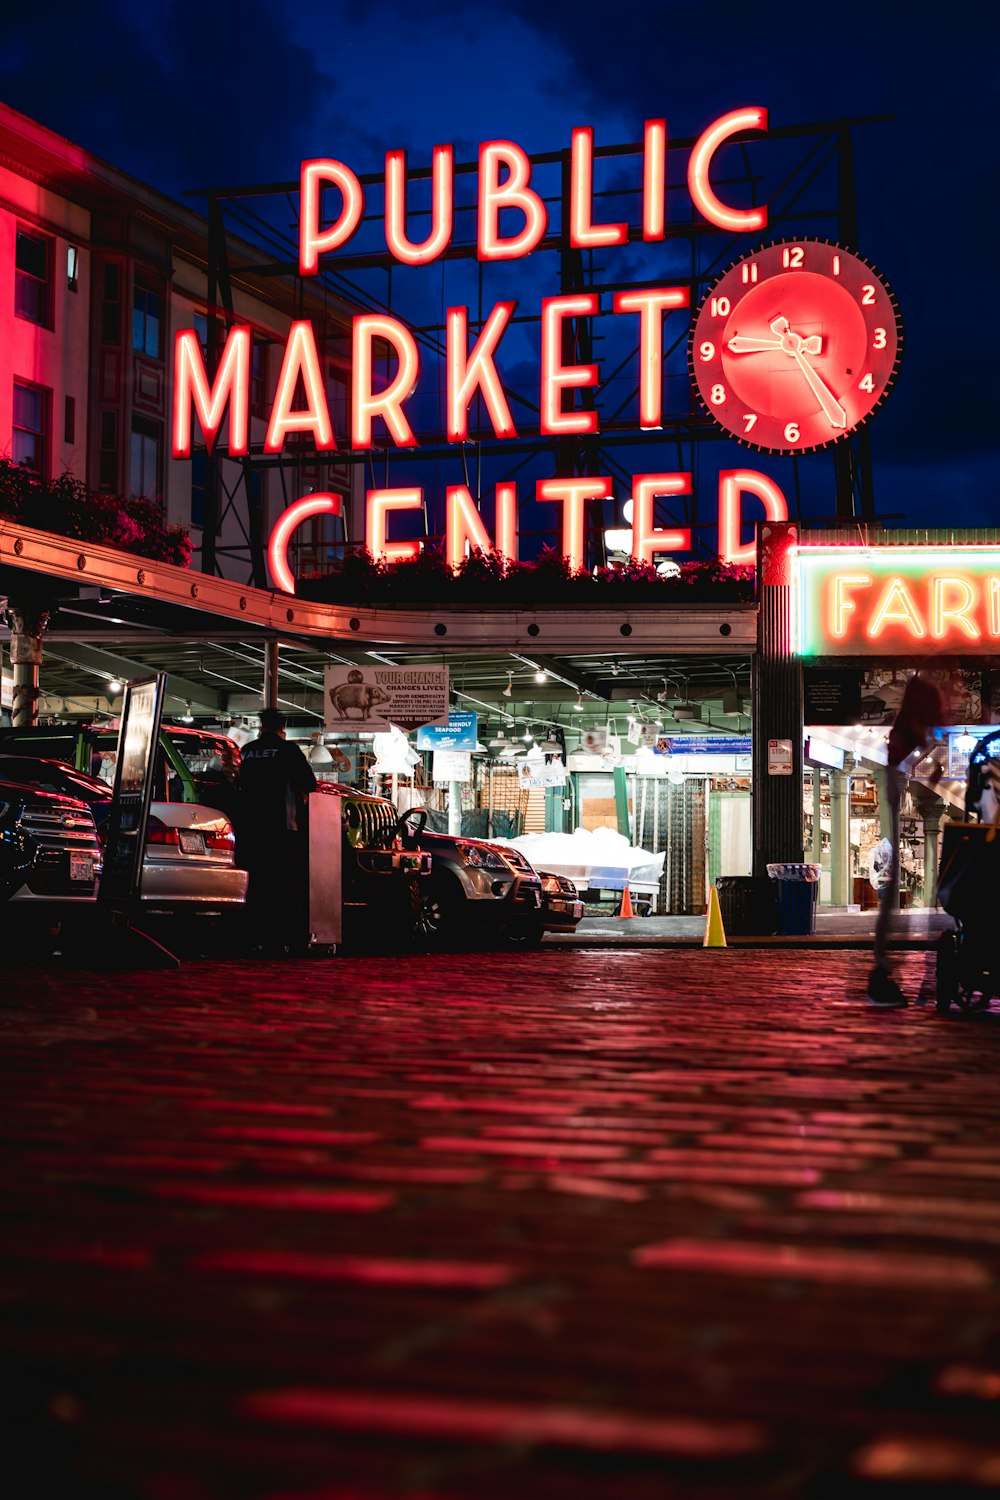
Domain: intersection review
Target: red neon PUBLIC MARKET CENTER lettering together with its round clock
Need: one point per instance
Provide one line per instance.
(792, 349)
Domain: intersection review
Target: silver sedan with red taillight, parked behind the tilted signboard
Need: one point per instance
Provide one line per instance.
(188, 865)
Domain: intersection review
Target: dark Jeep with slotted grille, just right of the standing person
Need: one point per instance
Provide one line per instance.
(382, 880)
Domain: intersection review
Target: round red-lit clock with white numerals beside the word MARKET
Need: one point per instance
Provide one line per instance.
(797, 346)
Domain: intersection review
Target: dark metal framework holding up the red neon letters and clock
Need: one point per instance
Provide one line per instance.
(816, 191)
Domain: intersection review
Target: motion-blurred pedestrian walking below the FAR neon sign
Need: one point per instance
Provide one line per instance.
(909, 742)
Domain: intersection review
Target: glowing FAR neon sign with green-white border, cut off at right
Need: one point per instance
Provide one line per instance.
(897, 601)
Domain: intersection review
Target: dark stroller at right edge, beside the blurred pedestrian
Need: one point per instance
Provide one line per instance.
(969, 958)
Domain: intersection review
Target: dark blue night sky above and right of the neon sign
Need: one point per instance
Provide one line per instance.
(188, 94)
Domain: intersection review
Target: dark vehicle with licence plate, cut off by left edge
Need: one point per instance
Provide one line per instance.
(50, 860)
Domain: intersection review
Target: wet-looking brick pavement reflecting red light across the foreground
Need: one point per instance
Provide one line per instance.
(593, 1225)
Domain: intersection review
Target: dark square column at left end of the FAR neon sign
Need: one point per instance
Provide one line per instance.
(777, 704)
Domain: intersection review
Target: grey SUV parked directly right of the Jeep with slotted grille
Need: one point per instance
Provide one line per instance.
(476, 889)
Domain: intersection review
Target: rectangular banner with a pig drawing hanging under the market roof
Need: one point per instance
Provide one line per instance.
(371, 700)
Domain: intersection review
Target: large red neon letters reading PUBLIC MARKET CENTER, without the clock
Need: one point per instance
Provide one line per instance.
(512, 221)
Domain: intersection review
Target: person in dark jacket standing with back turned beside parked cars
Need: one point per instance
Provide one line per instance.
(274, 839)
